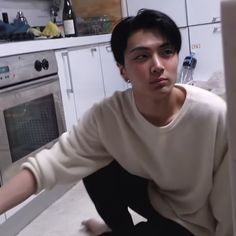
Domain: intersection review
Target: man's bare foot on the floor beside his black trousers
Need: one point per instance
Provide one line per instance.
(95, 227)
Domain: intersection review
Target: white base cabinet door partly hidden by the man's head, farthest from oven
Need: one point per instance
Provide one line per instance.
(113, 81)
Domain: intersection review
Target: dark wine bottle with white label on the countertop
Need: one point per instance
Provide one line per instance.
(69, 20)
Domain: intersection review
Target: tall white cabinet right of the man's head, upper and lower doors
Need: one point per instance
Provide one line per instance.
(205, 38)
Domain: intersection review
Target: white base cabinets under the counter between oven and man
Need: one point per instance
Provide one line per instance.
(87, 75)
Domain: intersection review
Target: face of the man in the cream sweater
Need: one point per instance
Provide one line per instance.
(150, 64)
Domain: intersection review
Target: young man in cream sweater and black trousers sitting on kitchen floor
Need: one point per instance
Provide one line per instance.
(158, 148)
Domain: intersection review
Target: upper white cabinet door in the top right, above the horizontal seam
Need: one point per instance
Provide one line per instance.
(202, 11)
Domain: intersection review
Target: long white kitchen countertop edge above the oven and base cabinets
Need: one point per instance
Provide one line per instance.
(15, 48)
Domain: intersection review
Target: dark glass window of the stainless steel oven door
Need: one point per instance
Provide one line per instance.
(30, 126)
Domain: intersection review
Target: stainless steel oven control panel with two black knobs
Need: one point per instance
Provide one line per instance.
(25, 67)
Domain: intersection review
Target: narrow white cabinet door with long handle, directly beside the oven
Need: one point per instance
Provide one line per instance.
(67, 90)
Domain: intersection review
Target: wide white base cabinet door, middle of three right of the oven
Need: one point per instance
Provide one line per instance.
(87, 77)
